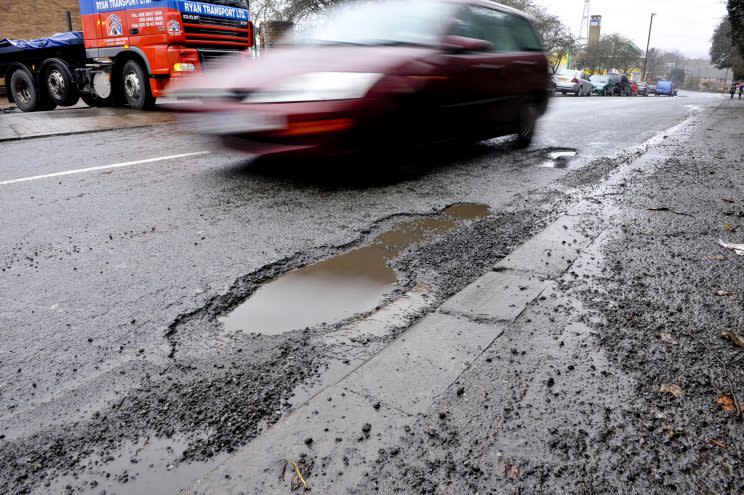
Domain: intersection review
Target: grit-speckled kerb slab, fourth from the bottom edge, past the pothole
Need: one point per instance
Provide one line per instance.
(553, 250)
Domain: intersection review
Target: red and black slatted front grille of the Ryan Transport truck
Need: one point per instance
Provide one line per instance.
(215, 32)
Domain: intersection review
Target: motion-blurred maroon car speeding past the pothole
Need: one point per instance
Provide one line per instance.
(381, 75)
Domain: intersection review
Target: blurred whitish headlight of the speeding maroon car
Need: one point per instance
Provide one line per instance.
(317, 86)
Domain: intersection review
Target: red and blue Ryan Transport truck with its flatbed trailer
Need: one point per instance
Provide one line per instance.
(127, 53)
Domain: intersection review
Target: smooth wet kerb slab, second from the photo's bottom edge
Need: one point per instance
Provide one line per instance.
(421, 364)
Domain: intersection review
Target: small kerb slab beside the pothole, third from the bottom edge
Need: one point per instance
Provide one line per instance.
(497, 296)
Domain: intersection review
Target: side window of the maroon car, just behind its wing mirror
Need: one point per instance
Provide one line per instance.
(486, 24)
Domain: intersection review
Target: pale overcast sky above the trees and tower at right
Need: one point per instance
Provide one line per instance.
(685, 25)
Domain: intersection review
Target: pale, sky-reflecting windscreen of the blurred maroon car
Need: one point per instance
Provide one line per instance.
(396, 22)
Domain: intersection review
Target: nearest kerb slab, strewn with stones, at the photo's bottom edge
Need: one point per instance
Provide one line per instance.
(327, 440)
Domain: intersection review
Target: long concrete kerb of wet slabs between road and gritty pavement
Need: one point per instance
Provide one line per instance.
(404, 379)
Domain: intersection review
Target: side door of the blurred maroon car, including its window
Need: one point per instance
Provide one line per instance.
(490, 79)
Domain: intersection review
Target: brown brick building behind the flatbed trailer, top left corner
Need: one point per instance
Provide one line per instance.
(27, 19)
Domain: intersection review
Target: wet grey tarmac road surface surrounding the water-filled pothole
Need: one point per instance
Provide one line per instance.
(112, 278)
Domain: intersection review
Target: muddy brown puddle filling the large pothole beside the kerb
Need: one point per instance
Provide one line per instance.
(339, 287)
